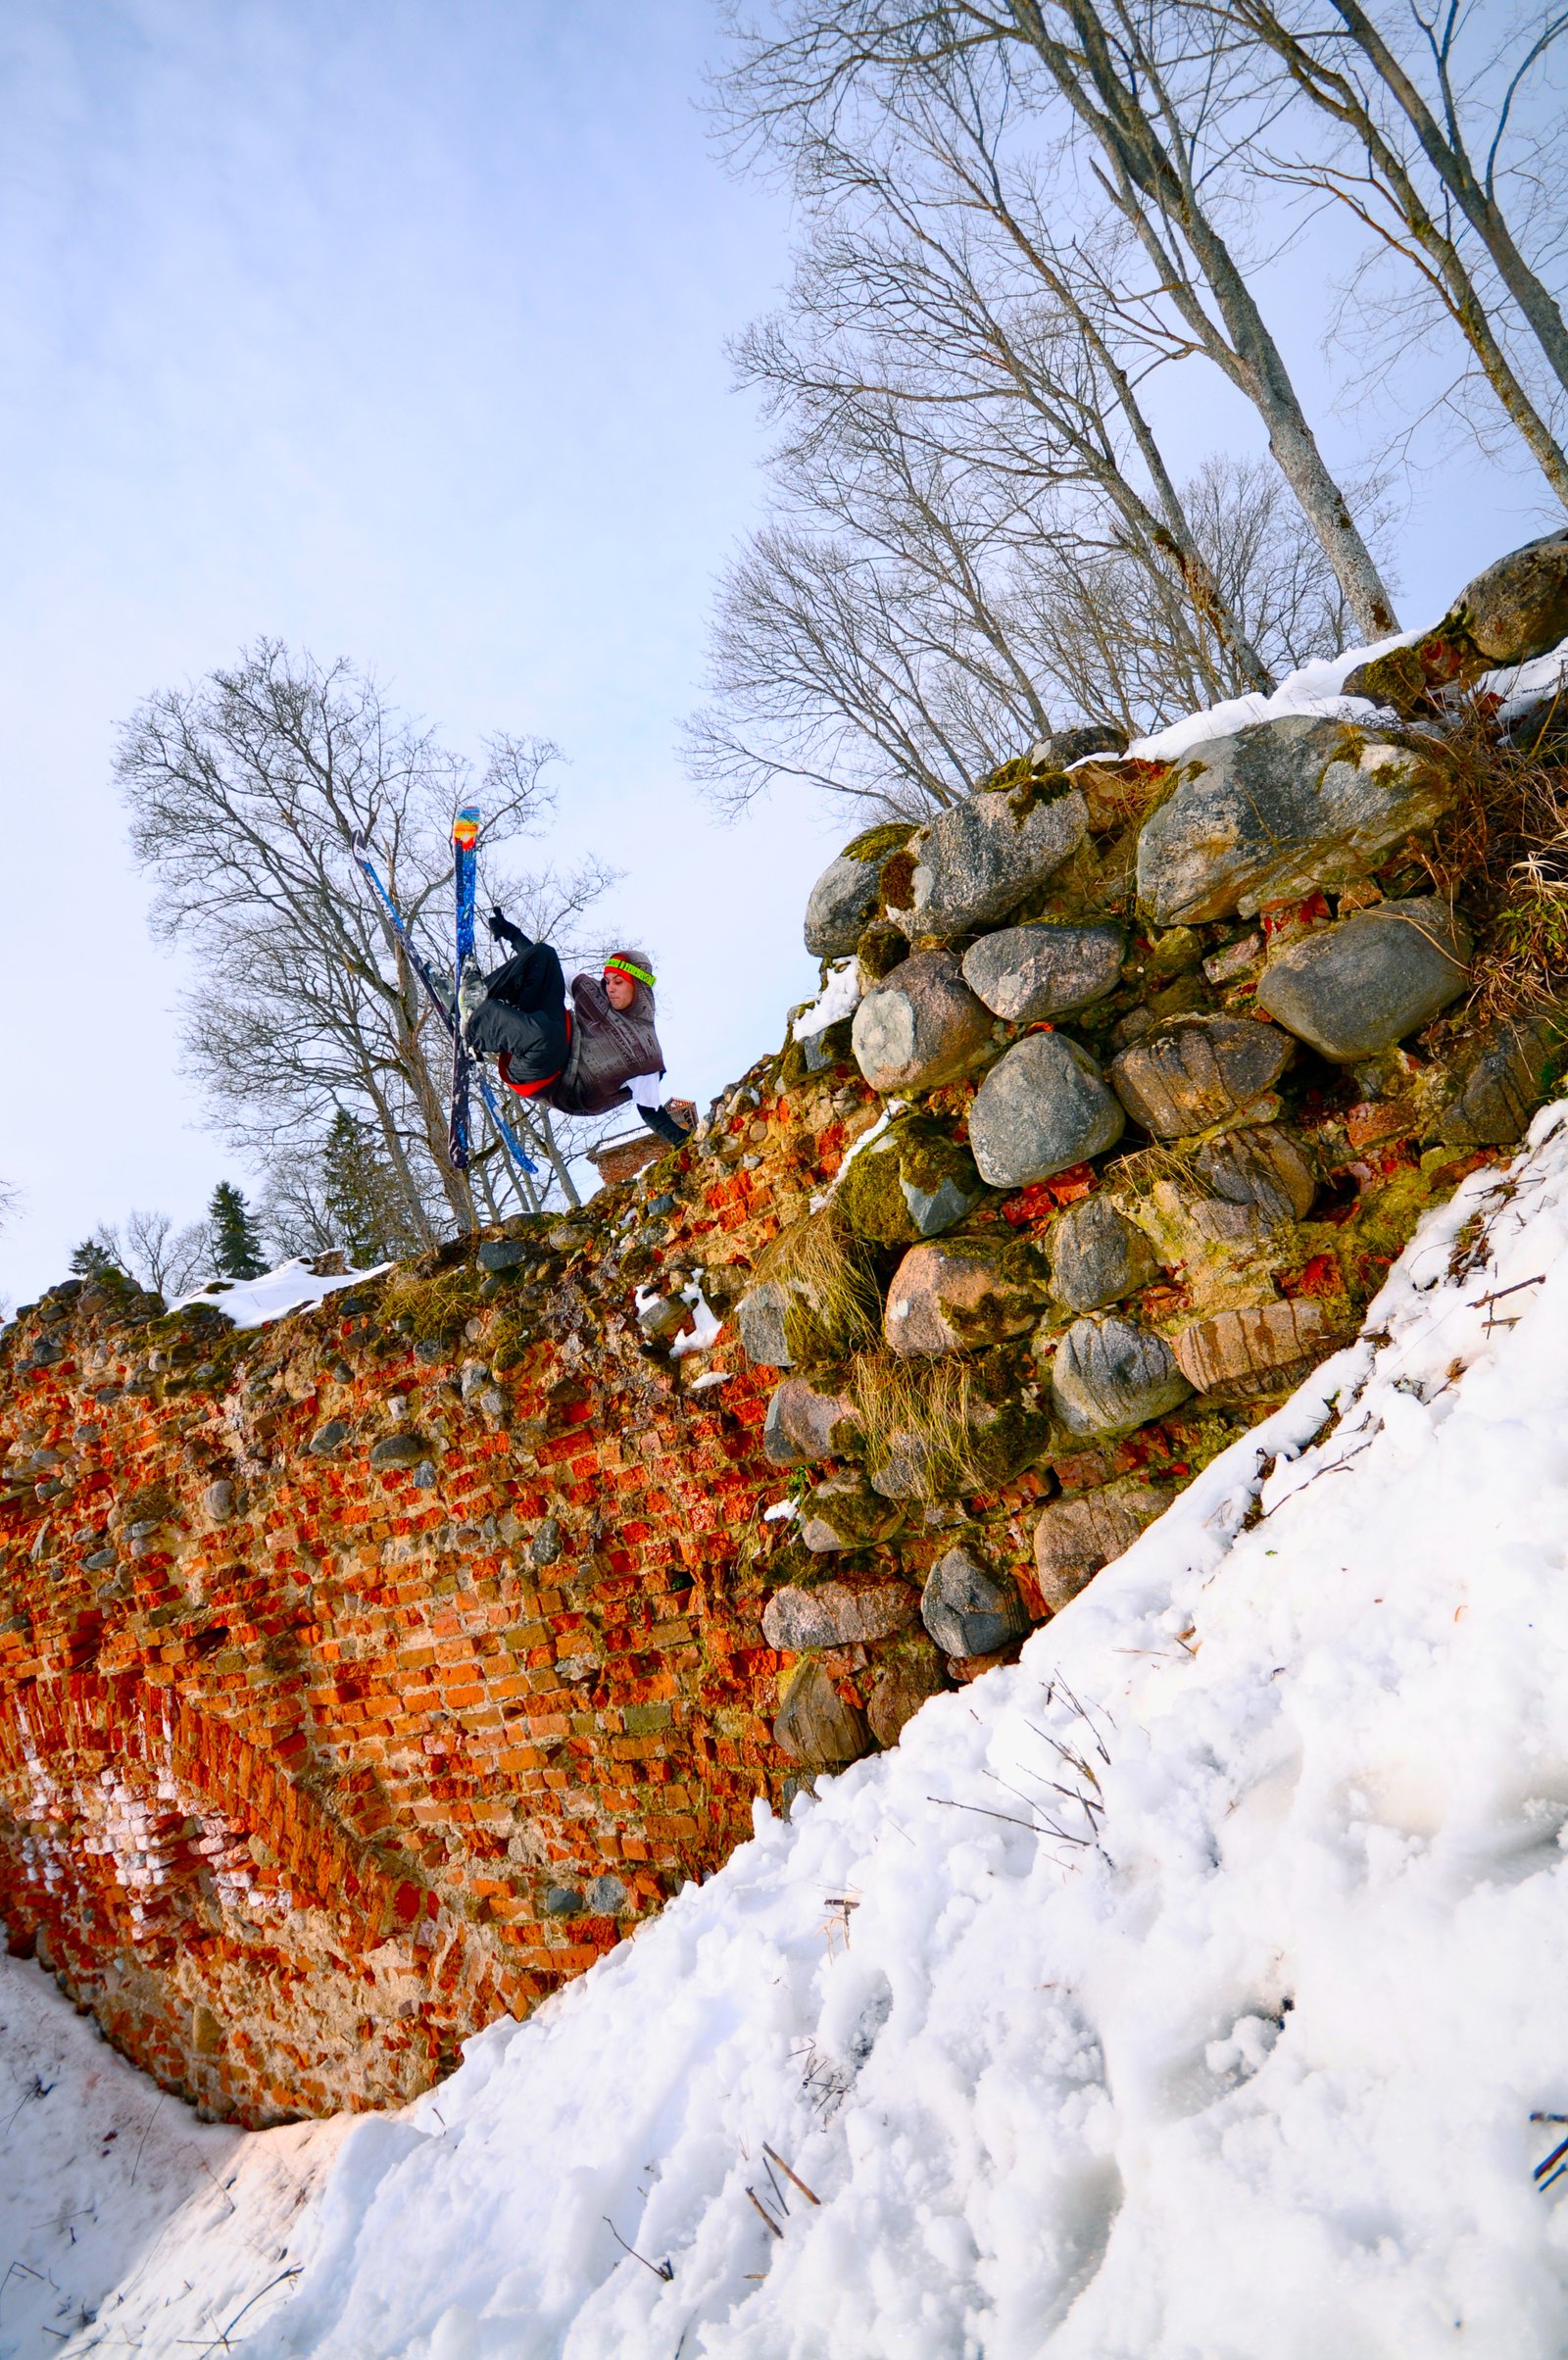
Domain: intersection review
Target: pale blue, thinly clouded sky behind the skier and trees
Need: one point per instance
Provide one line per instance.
(398, 332)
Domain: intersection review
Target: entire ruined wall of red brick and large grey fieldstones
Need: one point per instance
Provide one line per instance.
(384, 1667)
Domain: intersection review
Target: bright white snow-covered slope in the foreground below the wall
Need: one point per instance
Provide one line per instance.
(1194, 1991)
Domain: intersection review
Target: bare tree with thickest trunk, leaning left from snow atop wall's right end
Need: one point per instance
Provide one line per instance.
(1158, 124)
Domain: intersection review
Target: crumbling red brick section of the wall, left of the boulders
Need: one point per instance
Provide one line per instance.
(299, 1795)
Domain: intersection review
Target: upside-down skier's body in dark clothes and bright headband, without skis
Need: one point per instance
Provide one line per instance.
(587, 1058)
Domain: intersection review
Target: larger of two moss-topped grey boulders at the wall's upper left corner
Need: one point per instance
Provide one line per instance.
(981, 858)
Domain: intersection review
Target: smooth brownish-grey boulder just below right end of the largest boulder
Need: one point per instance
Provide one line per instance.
(1357, 988)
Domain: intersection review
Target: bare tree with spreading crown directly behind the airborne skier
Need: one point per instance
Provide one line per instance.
(247, 794)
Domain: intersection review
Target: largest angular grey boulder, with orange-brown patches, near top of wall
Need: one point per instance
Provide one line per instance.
(1279, 811)
